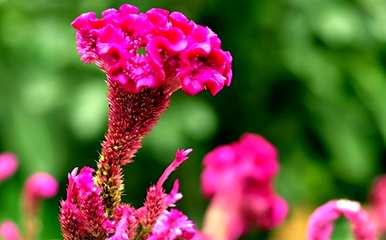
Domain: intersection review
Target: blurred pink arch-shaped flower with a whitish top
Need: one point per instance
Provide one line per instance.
(320, 225)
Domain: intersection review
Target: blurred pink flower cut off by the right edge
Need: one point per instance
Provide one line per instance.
(378, 204)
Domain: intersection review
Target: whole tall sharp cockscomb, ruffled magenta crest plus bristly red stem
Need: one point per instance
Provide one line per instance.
(146, 57)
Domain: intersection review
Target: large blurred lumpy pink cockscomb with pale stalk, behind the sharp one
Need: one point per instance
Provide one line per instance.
(238, 177)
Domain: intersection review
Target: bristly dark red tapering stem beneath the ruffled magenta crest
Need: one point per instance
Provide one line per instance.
(131, 117)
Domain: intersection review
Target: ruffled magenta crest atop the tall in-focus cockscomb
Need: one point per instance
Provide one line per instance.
(153, 49)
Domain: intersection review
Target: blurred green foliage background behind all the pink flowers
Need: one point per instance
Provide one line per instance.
(308, 74)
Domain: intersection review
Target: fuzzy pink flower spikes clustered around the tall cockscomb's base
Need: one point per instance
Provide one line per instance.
(83, 213)
